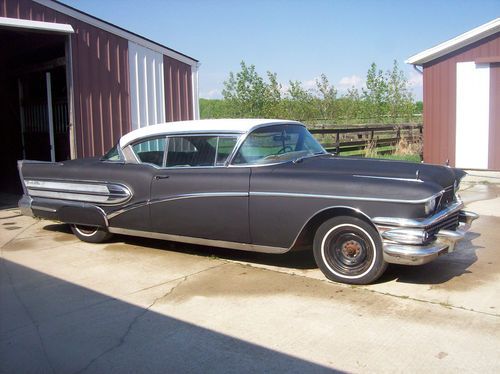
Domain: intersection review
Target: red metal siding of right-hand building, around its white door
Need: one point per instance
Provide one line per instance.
(440, 99)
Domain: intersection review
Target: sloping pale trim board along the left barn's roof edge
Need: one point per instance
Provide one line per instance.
(115, 30)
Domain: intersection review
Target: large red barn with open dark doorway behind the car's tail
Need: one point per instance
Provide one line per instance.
(72, 84)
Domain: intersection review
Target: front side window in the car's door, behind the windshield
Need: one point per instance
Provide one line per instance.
(207, 150)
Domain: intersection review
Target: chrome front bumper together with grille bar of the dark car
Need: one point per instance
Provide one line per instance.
(404, 243)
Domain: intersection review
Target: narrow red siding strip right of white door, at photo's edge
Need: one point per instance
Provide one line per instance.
(494, 140)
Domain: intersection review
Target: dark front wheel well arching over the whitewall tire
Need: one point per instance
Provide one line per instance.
(306, 236)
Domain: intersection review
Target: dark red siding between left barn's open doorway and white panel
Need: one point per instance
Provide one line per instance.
(100, 77)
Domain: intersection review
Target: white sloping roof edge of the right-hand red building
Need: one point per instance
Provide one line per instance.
(456, 43)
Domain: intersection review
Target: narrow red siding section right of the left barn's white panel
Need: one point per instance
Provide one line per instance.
(178, 90)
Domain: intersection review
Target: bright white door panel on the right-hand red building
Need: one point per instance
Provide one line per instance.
(472, 124)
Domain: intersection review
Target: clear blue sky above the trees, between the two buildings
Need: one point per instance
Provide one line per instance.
(298, 40)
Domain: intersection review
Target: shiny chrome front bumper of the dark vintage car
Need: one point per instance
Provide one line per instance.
(403, 245)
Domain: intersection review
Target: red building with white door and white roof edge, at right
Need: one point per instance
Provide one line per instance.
(462, 99)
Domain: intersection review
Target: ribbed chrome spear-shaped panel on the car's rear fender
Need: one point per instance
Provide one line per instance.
(91, 192)
